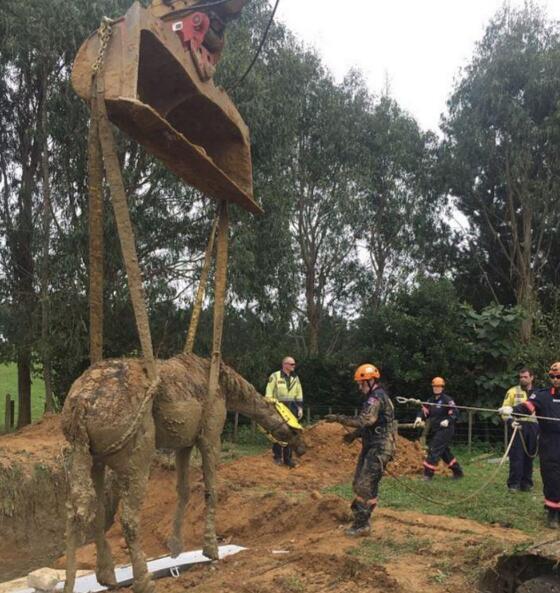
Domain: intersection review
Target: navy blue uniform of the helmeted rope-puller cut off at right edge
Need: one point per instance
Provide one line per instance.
(546, 402)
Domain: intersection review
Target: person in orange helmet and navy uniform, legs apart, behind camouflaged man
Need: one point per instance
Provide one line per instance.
(442, 416)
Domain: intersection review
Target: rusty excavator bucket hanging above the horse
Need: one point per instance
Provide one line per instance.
(158, 83)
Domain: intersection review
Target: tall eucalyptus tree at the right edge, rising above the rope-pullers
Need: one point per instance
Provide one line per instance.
(501, 154)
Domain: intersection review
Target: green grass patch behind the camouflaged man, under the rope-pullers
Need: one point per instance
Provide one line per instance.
(494, 505)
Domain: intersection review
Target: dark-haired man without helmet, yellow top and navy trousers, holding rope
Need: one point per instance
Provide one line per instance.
(524, 445)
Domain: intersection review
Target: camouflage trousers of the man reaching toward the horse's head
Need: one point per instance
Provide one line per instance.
(369, 469)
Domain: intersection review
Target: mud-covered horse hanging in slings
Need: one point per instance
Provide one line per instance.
(109, 420)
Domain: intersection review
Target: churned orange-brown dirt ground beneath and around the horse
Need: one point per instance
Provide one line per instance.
(294, 531)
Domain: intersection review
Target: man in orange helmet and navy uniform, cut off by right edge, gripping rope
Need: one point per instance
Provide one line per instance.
(546, 402)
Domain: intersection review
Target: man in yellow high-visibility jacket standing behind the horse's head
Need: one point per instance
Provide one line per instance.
(284, 386)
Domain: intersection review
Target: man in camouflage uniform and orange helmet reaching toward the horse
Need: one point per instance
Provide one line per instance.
(375, 425)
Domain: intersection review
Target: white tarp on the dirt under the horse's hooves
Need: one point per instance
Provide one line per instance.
(160, 567)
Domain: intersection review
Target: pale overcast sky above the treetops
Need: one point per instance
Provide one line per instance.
(418, 45)
